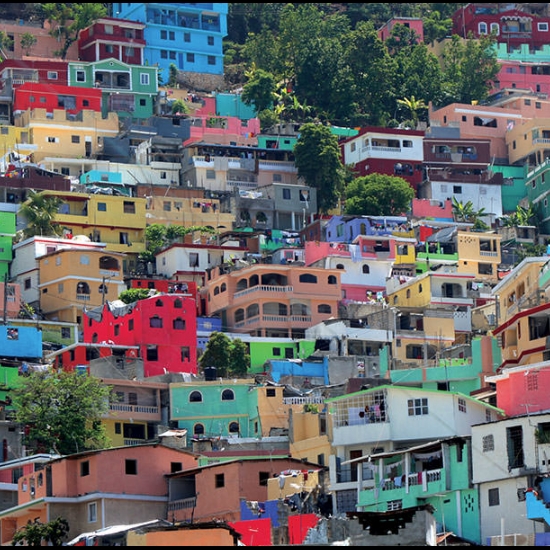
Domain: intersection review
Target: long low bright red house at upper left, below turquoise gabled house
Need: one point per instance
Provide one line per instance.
(33, 95)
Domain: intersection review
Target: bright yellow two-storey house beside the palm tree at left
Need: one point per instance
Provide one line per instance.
(117, 221)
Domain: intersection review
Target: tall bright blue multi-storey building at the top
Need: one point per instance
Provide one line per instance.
(188, 36)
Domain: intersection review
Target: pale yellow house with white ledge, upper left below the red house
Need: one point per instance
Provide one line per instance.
(59, 134)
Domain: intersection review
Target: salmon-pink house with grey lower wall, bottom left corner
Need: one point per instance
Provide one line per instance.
(97, 489)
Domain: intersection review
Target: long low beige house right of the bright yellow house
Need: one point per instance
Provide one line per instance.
(187, 212)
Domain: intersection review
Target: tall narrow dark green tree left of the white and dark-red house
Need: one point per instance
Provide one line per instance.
(318, 161)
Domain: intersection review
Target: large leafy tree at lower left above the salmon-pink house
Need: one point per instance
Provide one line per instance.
(62, 411)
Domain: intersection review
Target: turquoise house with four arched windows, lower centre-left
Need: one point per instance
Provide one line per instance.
(216, 407)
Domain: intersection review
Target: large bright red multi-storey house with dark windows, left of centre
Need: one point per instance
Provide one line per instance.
(161, 330)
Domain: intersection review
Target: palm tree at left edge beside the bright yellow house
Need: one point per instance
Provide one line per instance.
(39, 211)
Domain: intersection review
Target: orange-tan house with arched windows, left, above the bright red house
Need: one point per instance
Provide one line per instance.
(74, 279)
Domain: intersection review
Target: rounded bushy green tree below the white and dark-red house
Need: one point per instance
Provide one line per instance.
(378, 195)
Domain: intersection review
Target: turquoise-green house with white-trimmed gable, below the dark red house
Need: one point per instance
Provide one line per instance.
(129, 90)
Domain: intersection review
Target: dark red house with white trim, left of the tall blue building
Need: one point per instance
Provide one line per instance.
(108, 37)
